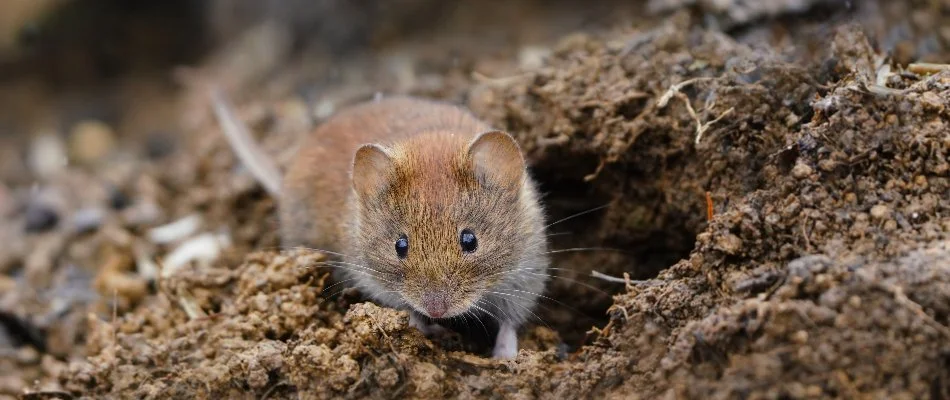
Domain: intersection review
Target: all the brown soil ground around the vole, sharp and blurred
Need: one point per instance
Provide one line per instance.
(765, 189)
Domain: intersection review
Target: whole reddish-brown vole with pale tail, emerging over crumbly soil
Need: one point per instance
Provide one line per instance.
(426, 207)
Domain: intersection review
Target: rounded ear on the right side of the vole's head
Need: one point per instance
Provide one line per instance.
(496, 157)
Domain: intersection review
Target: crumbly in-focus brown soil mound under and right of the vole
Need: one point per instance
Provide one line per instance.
(816, 265)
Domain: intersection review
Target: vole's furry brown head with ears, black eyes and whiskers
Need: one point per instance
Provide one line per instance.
(443, 219)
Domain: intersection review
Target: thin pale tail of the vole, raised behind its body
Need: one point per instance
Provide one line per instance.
(250, 154)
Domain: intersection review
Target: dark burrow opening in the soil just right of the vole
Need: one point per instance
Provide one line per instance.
(621, 237)
